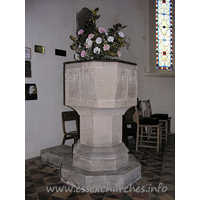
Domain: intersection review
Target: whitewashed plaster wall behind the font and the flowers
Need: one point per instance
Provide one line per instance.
(50, 23)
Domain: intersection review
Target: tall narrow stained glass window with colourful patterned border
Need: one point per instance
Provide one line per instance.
(164, 39)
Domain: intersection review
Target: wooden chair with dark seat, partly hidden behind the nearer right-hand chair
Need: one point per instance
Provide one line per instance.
(162, 118)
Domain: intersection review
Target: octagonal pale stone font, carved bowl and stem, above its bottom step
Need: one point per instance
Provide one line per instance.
(101, 92)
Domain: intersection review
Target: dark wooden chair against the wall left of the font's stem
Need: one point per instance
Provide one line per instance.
(70, 116)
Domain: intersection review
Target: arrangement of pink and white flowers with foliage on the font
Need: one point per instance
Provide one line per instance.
(98, 43)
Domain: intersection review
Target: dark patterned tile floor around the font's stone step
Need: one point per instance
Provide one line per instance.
(157, 182)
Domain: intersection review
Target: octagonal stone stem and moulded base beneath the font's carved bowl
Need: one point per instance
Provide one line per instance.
(100, 147)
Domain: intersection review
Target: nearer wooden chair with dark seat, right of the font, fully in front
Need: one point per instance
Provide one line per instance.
(148, 130)
